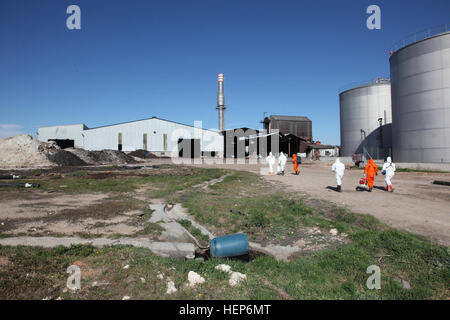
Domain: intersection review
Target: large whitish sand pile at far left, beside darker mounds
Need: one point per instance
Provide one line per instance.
(23, 151)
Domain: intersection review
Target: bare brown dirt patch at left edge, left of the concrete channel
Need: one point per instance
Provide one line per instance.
(40, 213)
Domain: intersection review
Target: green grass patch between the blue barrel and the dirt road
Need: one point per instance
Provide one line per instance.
(266, 216)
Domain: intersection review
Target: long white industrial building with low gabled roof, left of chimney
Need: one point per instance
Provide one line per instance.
(162, 137)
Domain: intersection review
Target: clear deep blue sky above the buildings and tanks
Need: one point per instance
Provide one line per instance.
(137, 59)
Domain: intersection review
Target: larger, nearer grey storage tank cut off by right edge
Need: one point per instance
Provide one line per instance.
(420, 78)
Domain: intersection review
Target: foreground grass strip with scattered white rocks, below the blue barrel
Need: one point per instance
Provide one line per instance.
(332, 274)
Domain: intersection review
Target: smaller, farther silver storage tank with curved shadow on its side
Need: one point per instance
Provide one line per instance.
(360, 110)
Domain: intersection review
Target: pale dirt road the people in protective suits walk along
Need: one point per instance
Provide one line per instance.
(416, 205)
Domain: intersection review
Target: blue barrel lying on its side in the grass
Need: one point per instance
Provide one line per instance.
(229, 246)
